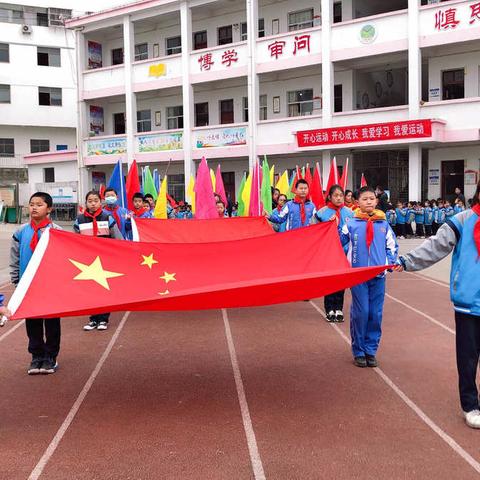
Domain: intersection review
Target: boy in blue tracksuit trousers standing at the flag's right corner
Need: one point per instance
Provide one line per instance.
(370, 242)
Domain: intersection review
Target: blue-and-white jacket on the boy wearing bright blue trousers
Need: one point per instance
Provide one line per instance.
(384, 247)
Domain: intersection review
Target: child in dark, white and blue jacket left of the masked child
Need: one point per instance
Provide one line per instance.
(97, 223)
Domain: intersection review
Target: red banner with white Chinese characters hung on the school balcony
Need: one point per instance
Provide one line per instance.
(375, 132)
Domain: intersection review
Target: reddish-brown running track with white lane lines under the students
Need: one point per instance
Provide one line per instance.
(264, 393)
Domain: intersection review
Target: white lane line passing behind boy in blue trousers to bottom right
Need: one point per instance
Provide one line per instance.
(412, 405)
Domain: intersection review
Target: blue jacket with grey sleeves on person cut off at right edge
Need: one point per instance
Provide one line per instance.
(457, 235)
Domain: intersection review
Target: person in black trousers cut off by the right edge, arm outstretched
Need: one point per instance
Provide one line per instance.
(460, 233)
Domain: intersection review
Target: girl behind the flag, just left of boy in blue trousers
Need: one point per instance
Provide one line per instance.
(335, 210)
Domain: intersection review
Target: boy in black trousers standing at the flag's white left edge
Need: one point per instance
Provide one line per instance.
(43, 334)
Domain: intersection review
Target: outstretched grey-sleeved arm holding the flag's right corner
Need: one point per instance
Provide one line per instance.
(433, 249)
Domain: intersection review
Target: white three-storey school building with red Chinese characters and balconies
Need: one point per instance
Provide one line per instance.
(392, 86)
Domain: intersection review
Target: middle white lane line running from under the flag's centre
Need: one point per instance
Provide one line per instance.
(255, 459)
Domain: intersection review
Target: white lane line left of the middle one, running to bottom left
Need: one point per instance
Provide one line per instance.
(38, 470)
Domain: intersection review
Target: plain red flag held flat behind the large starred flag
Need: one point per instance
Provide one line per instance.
(199, 231)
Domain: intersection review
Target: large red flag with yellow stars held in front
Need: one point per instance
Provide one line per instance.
(87, 275)
